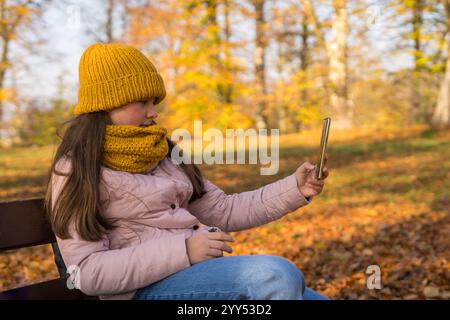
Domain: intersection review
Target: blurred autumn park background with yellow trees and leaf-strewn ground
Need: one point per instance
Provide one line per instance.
(379, 68)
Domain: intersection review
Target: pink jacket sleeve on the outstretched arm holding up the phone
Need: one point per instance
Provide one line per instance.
(248, 209)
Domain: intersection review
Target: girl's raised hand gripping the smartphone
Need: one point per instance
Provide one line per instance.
(307, 184)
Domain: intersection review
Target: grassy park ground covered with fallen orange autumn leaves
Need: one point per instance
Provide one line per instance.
(386, 203)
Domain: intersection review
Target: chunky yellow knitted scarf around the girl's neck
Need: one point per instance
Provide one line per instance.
(132, 148)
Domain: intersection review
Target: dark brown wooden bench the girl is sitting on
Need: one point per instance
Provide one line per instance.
(24, 224)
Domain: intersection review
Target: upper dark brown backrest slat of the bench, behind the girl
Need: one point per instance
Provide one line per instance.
(23, 224)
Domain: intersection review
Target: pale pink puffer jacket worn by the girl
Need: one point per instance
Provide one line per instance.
(154, 218)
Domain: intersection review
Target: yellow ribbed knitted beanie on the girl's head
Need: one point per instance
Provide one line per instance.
(112, 75)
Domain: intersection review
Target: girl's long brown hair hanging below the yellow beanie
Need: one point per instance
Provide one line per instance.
(82, 143)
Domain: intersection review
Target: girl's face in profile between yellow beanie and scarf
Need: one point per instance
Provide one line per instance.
(138, 113)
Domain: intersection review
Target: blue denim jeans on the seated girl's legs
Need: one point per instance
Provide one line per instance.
(248, 277)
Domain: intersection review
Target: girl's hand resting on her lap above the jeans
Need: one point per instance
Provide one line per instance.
(206, 245)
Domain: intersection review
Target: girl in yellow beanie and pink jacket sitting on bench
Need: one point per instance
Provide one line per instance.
(133, 224)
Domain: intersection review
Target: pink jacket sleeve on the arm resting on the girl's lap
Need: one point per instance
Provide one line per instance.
(103, 271)
